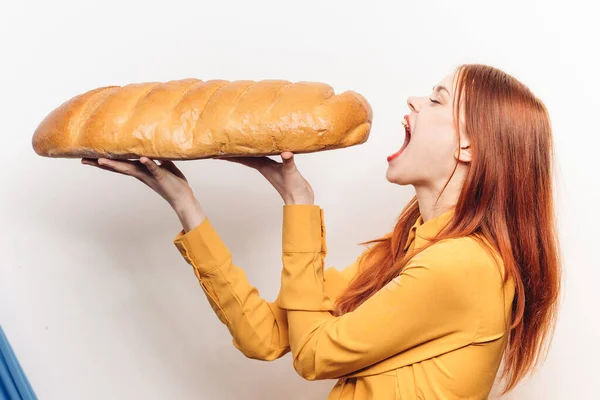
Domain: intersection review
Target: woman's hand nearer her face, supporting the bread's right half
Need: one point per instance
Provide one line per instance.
(284, 176)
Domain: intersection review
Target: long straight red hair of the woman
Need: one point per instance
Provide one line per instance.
(507, 200)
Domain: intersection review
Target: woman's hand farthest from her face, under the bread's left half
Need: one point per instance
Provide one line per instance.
(165, 179)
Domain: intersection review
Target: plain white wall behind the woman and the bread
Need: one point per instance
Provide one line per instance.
(96, 300)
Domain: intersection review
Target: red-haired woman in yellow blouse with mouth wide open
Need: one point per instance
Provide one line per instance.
(470, 275)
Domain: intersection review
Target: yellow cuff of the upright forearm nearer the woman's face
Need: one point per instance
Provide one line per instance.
(303, 229)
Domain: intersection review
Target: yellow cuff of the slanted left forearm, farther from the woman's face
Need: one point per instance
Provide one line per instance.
(202, 247)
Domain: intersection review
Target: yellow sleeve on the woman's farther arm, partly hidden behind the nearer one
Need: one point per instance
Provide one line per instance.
(258, 327)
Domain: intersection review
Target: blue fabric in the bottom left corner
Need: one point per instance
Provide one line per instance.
(13, 382)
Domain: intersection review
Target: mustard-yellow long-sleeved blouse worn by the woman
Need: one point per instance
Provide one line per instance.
(437, 331)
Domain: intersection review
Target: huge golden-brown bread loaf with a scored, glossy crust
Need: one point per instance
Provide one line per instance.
(191, 119)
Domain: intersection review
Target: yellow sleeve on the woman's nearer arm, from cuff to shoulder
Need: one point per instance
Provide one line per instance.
(424, 303)
